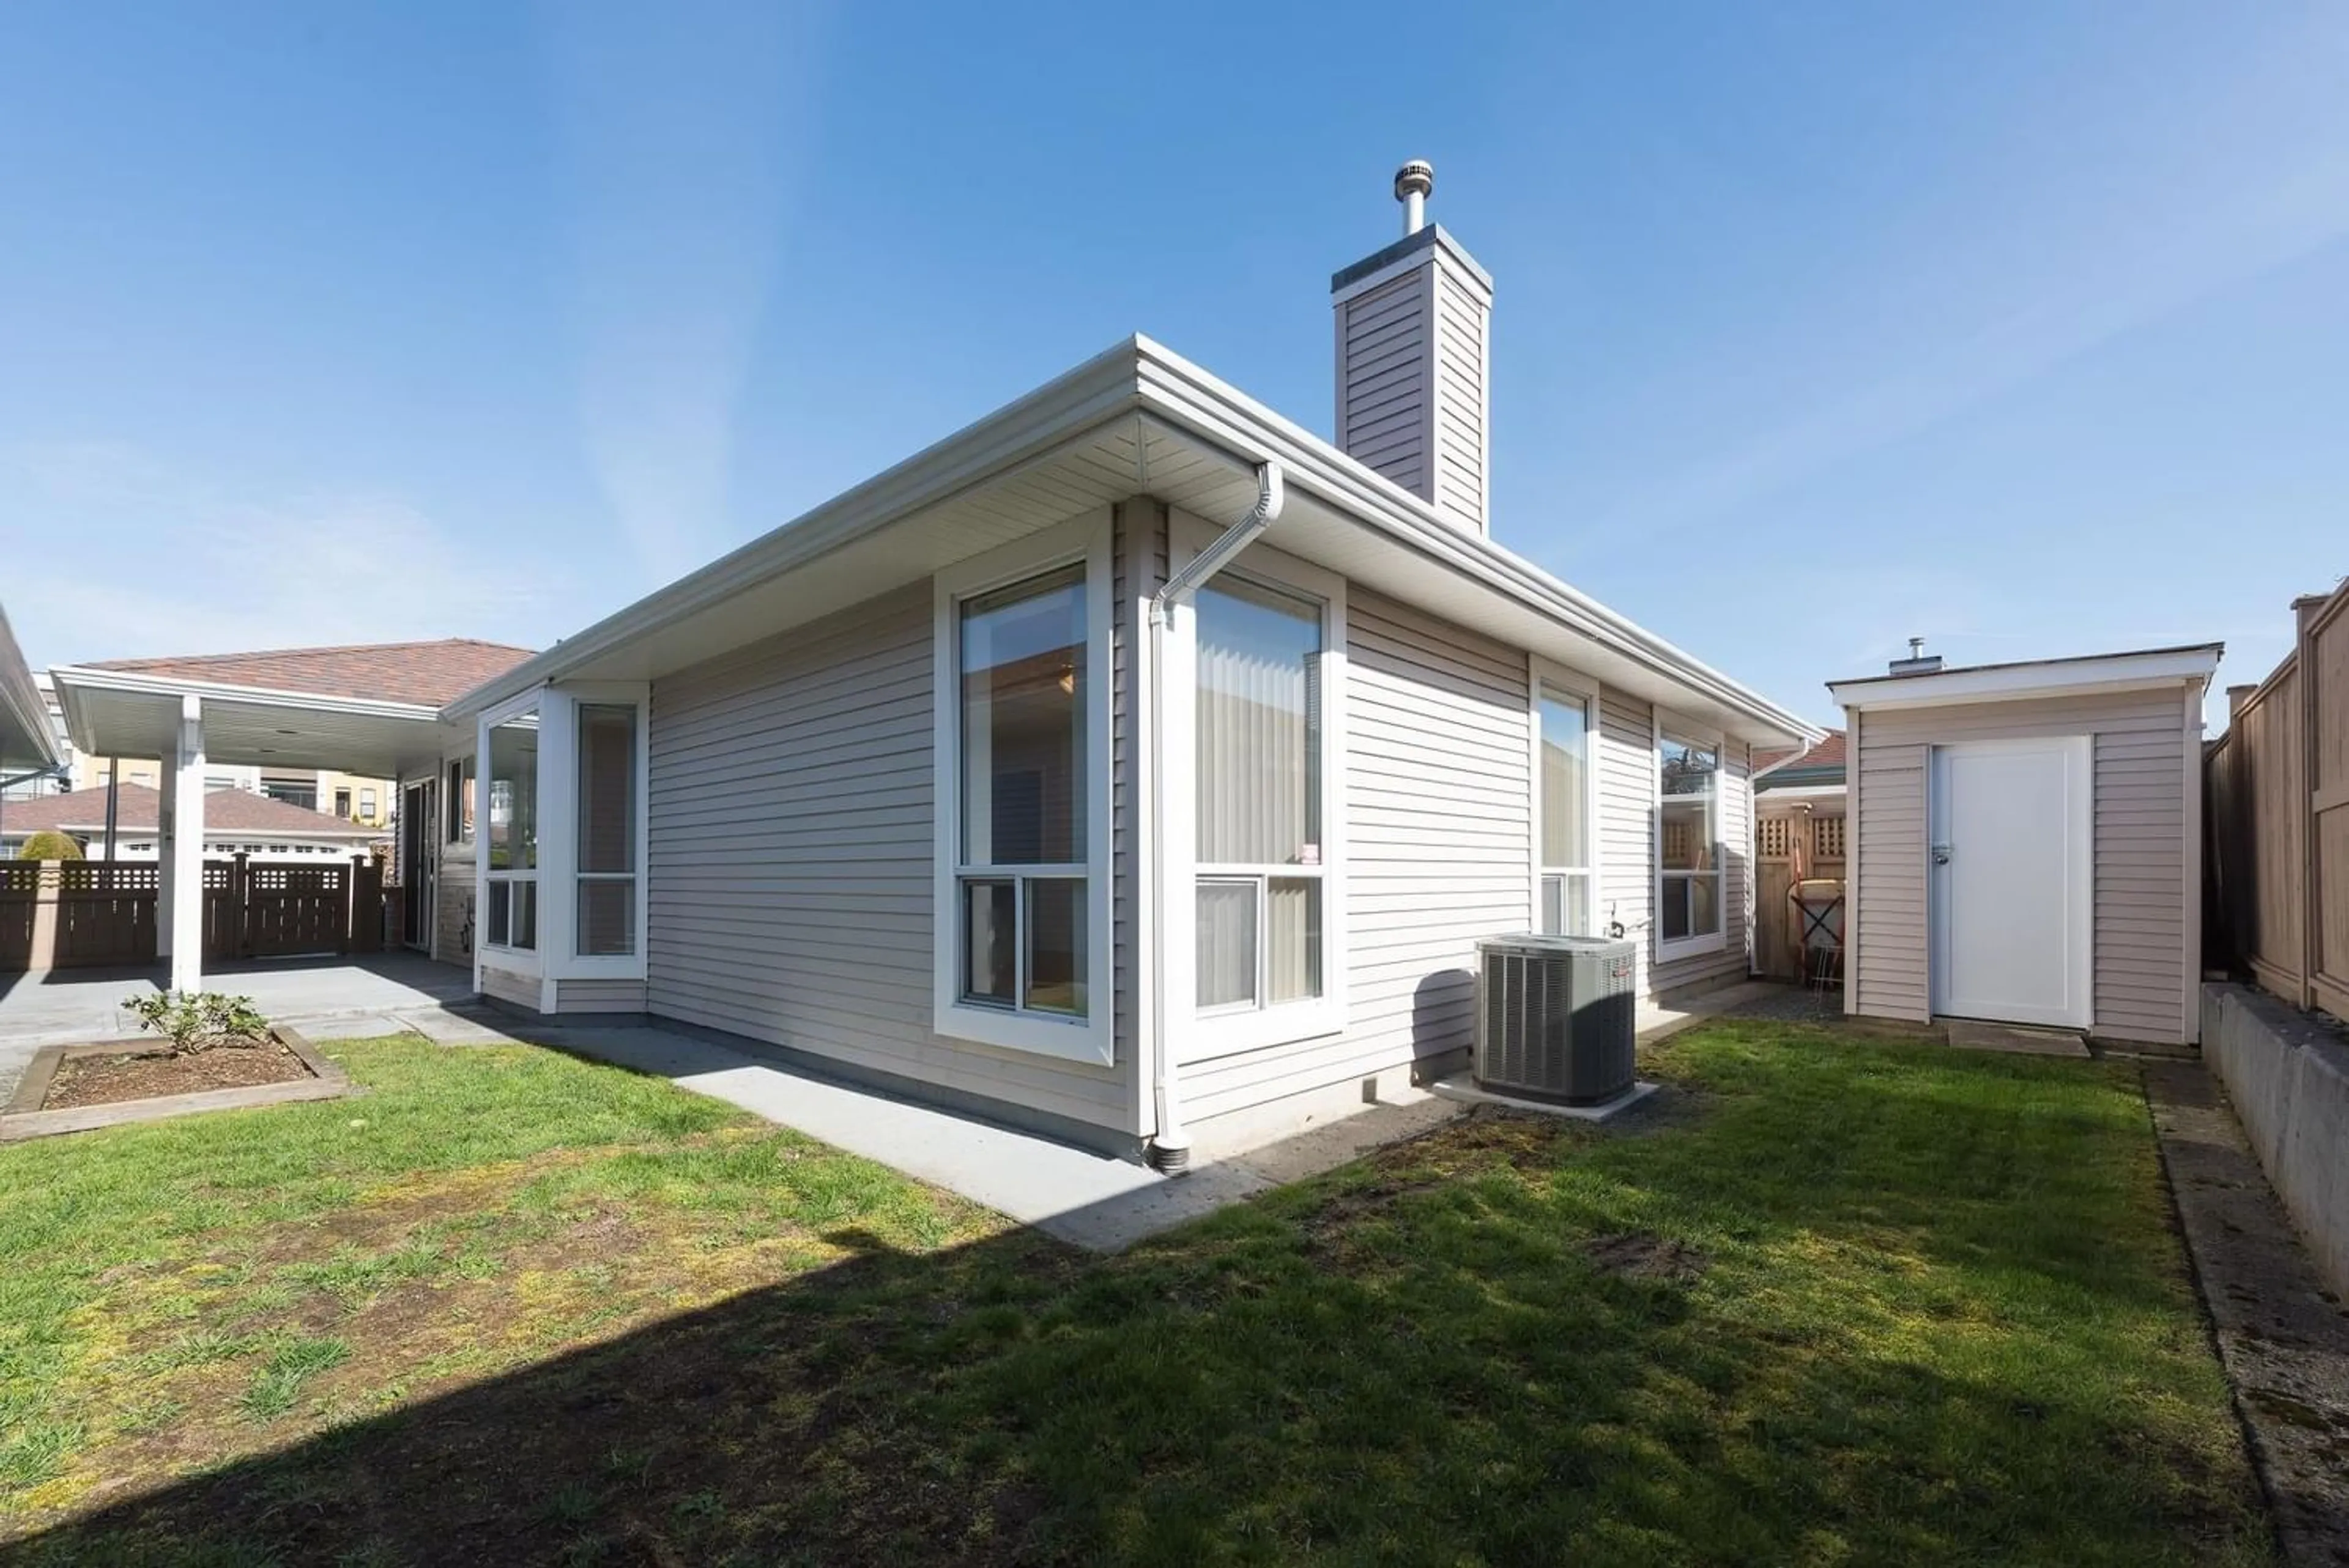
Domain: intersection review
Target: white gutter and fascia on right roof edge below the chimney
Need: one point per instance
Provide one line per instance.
(1185, 394)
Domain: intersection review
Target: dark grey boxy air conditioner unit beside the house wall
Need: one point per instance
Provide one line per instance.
(1554, 1019)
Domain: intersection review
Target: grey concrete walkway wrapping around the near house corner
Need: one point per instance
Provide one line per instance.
(1070, 1193)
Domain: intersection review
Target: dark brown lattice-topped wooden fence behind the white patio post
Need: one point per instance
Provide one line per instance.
(88, 913)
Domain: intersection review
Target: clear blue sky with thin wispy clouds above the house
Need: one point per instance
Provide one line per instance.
(2021, 328)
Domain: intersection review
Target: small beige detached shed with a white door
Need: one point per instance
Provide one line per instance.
(2026, 843)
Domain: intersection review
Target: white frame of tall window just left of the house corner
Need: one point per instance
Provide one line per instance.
(1077, 1040)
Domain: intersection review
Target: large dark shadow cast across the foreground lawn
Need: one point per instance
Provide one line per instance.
(1422, 1358)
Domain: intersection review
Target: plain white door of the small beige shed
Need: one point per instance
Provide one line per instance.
(2014, 880)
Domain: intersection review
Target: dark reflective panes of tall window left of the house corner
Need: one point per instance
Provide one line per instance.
(1023, 869)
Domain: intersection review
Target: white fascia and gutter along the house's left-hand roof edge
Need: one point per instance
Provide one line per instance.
(1016, 434)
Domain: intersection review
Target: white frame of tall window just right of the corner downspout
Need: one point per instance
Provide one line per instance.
(1204, 1036)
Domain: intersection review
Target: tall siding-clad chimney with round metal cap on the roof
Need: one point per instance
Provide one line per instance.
(1415, 363)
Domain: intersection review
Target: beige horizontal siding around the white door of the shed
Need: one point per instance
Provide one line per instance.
(2139, 845)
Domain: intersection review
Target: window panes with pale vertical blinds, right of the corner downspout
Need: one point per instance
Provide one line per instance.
(1260, 796)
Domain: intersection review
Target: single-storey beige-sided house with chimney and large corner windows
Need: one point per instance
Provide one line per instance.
(1126, 763)
